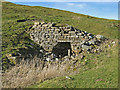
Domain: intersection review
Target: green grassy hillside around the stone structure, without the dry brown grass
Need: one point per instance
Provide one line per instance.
(14, 38)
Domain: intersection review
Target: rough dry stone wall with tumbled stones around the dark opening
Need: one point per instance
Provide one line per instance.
(48, 35)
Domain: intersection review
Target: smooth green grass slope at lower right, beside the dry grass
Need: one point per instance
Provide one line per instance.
(100, 72)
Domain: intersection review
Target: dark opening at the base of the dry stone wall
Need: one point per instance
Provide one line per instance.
(62, 49)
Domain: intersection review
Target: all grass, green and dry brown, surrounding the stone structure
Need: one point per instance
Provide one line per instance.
(93, 71)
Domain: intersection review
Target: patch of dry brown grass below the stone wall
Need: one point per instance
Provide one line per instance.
(29, 72)
